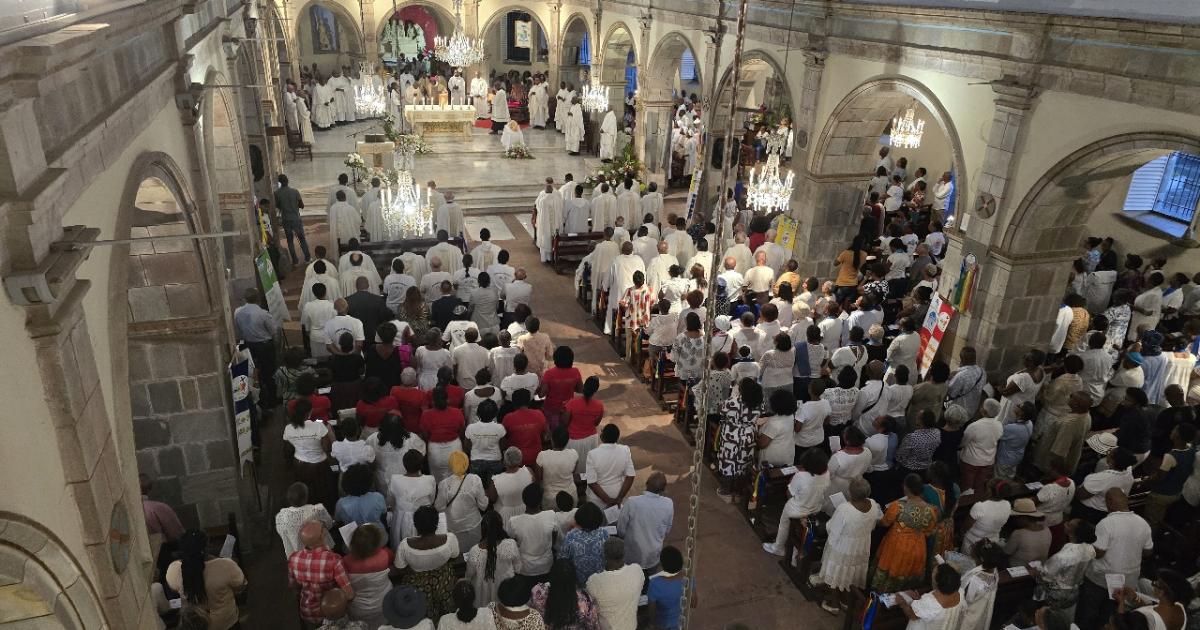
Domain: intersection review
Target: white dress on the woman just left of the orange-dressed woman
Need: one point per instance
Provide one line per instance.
(849, 549)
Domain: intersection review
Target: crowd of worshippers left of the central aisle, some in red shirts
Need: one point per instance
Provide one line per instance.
(453, 466)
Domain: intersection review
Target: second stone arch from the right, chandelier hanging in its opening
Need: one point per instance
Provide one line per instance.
(849, 143)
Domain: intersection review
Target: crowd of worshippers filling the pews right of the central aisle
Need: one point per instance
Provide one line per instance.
(825, 376)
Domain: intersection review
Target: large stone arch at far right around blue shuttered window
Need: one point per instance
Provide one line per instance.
(1082, 196)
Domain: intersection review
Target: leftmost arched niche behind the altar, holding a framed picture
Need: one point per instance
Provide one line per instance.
(328, 37)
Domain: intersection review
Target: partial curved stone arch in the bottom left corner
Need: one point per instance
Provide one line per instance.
(47, 579)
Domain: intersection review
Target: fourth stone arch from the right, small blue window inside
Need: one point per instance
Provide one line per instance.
(670, 75)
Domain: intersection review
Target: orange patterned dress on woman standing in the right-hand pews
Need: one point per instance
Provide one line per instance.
(901, 561)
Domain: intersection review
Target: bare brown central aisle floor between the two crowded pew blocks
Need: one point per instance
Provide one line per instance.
(737, 581)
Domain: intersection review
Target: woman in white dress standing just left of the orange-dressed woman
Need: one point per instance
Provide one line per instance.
(848, 554)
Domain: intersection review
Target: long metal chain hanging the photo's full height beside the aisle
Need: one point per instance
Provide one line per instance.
(698, 455)
